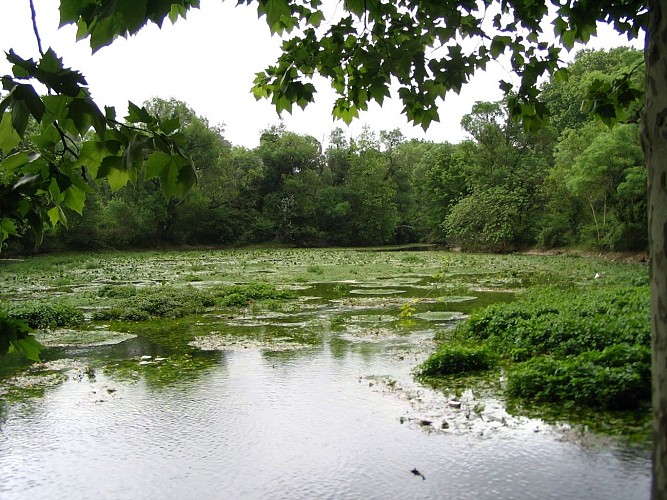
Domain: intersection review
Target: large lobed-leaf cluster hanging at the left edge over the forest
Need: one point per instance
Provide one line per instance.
(53, 147)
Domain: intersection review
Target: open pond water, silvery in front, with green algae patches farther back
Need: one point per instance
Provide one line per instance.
(316, 400)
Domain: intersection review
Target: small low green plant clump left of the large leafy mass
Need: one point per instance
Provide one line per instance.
(452, 359)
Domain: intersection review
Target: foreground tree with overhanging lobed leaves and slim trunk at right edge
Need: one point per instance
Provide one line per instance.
(426, 48)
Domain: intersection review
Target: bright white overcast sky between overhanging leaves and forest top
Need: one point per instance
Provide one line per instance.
(209, 61)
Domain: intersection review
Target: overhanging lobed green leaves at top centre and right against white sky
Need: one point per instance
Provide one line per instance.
(418, 45)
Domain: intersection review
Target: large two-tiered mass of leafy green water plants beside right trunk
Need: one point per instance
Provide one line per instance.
(586, 346)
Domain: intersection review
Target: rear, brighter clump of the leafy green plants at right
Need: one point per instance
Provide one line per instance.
(562, 323)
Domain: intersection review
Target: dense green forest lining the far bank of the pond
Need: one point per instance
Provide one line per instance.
(574, 183)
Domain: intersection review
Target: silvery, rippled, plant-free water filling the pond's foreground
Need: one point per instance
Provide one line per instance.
(287, 427)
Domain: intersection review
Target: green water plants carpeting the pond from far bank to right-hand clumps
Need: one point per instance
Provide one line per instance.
(177, 302)
